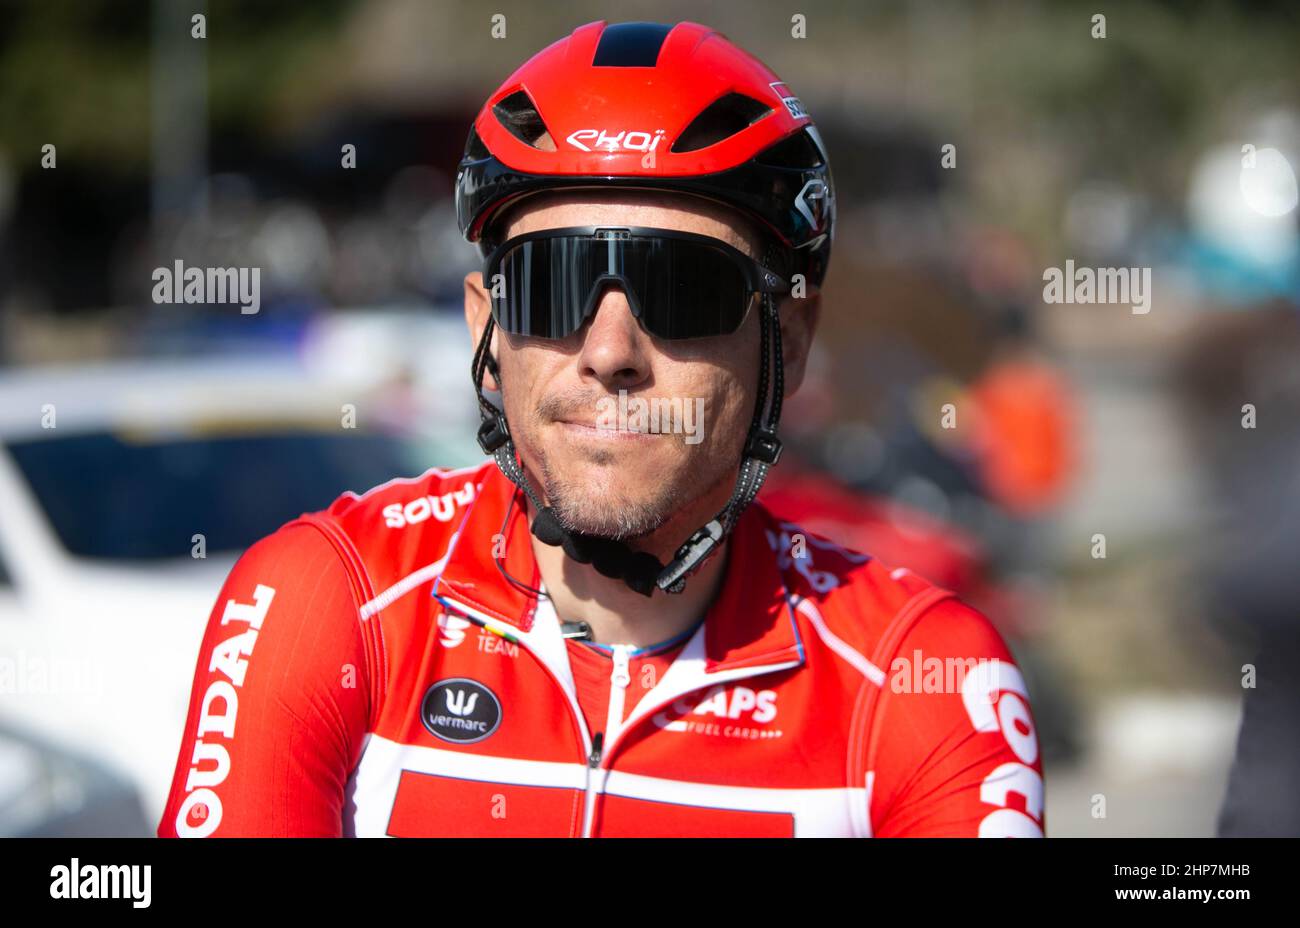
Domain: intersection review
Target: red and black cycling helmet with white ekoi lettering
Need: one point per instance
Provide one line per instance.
(649, 106)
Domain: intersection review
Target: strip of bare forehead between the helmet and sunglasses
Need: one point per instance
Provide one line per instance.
(632, 209)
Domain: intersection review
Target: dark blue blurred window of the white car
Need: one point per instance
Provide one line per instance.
(128, 498)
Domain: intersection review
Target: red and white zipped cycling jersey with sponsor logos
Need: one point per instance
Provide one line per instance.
(370, 670)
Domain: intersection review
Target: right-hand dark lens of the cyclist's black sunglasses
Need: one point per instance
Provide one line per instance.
(687, 289)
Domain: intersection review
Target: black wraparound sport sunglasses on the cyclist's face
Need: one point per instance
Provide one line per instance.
(679, 285)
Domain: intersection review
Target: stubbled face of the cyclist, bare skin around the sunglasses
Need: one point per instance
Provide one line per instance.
(621, 430)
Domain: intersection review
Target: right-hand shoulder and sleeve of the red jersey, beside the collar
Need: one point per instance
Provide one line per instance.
(942, 727)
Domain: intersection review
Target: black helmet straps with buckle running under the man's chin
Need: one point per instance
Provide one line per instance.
(640, 570)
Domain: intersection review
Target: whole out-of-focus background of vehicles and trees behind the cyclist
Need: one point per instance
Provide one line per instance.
(1100, 496)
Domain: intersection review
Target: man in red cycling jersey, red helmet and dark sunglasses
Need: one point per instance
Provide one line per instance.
(599, 635)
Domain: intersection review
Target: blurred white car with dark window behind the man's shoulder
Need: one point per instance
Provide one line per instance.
(110, 475)
